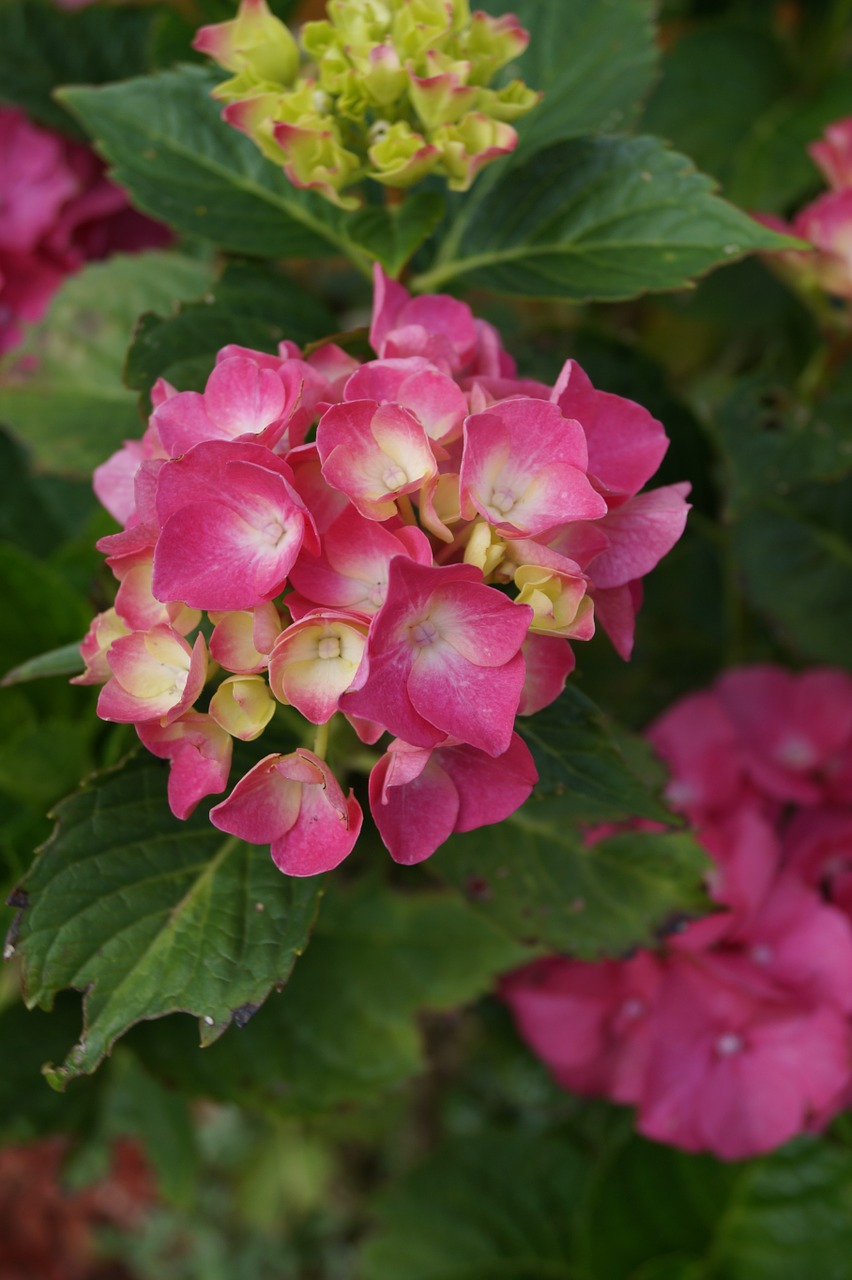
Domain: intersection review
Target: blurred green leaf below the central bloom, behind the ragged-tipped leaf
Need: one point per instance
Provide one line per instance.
(345, 1027)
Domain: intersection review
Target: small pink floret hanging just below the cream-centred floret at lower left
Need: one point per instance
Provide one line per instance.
(199, 752)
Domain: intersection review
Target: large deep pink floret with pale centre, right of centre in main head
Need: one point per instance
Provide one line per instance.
(445, 660)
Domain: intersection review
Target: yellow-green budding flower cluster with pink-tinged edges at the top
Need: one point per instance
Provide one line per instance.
(392, 90)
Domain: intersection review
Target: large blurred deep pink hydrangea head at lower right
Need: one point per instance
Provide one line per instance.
(736, 1035)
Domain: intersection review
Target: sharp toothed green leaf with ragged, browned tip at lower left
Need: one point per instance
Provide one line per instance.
(150, 916)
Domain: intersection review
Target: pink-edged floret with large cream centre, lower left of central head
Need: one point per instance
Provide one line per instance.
(155, 676)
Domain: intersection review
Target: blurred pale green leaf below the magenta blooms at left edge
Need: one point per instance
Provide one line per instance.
(74, 412)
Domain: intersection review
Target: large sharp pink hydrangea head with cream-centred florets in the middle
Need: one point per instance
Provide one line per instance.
(410, 542)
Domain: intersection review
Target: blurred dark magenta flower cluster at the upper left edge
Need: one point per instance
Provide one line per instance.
(58, 212)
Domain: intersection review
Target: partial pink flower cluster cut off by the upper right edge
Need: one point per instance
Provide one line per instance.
(827, 222)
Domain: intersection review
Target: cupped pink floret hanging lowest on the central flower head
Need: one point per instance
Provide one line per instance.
(295, 804)
